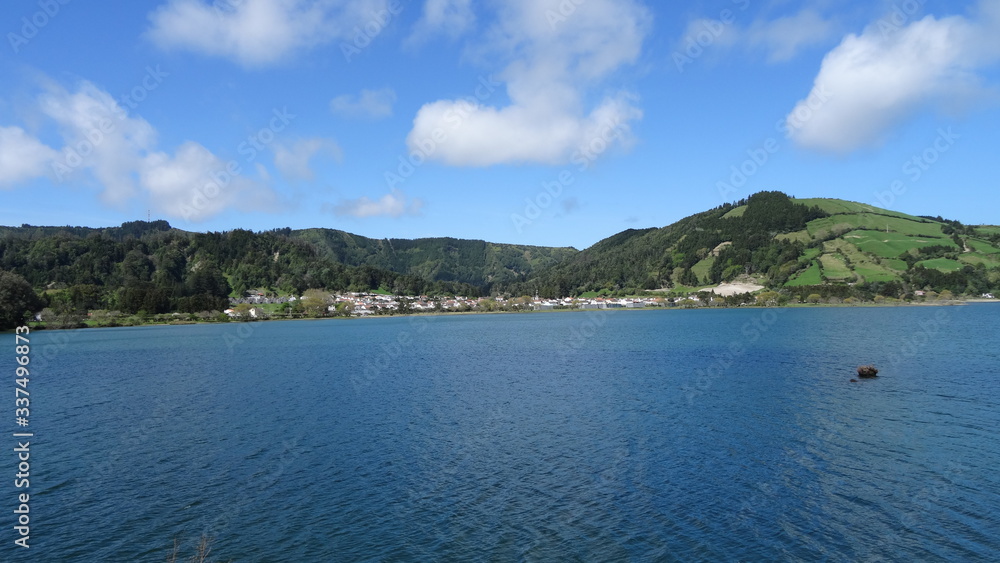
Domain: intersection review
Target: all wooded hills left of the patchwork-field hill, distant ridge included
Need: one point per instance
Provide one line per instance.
(151, 267)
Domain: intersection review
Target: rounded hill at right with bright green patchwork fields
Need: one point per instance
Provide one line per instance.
(825, 245)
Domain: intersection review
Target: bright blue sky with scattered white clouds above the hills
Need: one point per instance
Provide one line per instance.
(541, 122)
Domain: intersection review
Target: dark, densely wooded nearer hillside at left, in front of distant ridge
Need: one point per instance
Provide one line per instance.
(150, 267)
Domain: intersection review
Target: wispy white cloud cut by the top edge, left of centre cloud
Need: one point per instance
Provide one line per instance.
(258, 32)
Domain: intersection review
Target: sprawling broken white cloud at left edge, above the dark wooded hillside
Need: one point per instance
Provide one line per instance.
(119, 151)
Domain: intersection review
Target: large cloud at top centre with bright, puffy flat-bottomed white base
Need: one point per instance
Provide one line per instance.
(556, 54)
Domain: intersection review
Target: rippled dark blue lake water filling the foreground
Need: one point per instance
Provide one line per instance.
(714, 435)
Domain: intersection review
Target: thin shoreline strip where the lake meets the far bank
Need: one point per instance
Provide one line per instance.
(33, 325)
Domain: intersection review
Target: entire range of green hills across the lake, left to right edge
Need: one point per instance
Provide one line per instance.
(789, 245)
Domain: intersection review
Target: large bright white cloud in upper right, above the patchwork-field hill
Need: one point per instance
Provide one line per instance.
(874, 81)
